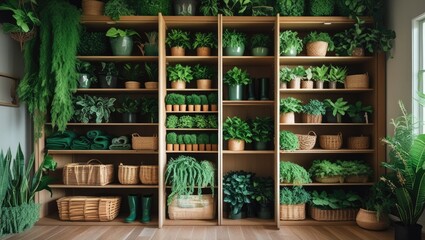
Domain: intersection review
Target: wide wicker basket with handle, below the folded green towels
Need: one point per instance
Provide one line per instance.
(88, 173)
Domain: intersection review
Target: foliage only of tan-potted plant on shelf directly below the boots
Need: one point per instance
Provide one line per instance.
(236, 128)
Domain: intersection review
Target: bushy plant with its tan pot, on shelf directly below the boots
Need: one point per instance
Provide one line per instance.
(237, 132)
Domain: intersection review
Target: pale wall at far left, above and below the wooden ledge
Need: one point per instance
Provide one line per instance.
(14, 122)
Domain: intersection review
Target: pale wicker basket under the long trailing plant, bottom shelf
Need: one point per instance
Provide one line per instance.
(192, 207)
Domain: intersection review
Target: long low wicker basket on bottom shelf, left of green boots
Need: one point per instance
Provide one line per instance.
(82, 208)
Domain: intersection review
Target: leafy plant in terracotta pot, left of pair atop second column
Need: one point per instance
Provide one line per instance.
(178, 40)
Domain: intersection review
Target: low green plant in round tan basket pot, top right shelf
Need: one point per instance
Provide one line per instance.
(318, 44)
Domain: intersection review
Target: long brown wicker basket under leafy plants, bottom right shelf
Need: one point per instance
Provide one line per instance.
(333, 215)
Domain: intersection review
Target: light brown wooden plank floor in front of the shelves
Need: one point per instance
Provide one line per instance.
(349, 232)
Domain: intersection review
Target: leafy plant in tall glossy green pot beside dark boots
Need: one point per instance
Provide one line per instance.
(235, 78)
